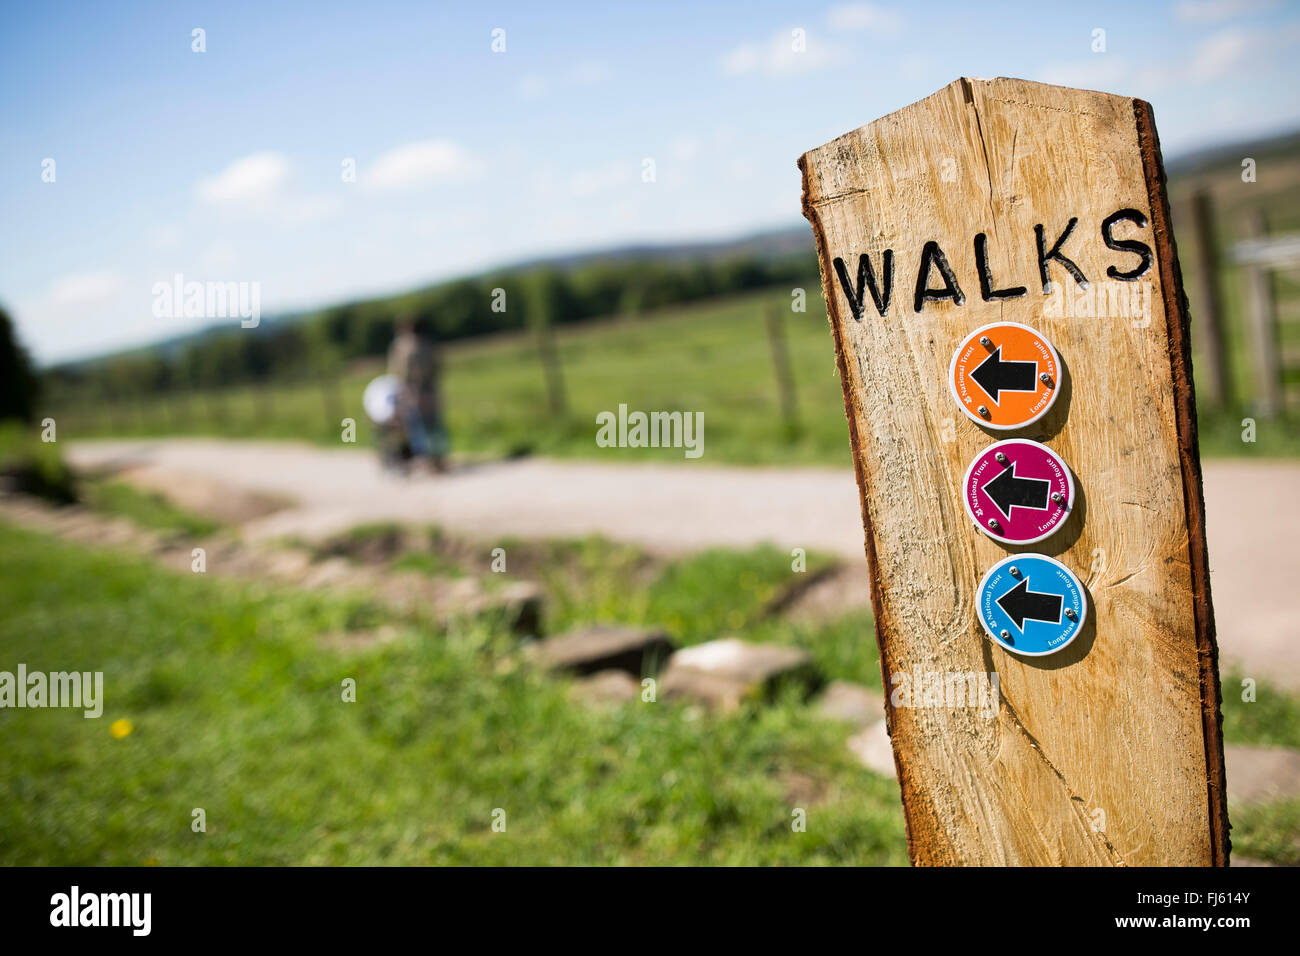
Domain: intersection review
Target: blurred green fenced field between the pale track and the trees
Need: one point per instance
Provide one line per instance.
(712, 358)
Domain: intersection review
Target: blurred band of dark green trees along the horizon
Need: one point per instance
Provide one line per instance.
(322, 343)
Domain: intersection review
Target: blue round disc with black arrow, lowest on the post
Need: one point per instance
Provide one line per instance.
(1032, 604)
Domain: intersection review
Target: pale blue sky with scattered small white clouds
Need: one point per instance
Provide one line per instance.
(227, 166)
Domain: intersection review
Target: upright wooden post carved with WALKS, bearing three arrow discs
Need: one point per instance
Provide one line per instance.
(1008, 202)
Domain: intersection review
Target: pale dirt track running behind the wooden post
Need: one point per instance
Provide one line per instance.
(1254, 521)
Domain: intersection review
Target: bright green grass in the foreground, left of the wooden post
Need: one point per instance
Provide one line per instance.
(237, 710)
